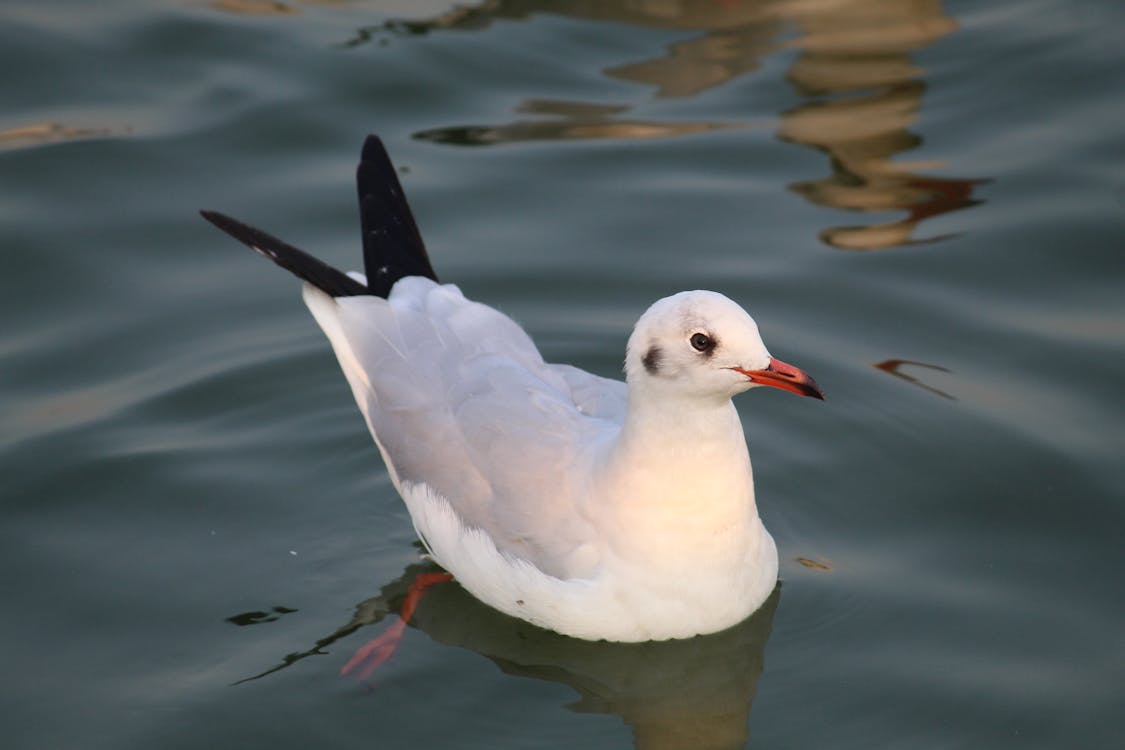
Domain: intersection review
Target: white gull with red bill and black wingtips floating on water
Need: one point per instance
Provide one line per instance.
(593, 508)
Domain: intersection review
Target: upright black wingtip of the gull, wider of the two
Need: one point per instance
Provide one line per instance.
(393, 247)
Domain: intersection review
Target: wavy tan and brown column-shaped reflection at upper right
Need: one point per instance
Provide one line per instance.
(865, 94)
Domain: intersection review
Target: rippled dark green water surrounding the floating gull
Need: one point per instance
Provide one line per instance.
(923, 204)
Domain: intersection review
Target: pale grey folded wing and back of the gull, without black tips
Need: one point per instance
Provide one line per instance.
(460, 400)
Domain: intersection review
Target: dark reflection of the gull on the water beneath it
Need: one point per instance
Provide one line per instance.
(695, 693)
